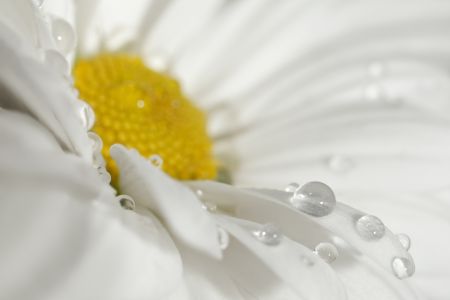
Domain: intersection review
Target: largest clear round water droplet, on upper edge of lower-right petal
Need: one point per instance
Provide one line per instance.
(314, 198)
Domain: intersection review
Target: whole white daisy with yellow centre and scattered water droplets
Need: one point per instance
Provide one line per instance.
(345, 91)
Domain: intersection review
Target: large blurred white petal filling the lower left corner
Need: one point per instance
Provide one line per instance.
(64, 236)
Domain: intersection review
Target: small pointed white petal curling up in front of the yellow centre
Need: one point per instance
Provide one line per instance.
(175, 204)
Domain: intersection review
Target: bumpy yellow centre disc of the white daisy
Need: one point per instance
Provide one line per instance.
(146, 110)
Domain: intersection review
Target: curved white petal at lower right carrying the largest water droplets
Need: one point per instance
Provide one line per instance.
(370, 259)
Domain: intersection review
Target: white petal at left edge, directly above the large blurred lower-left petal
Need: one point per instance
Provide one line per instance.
(31, 87)
